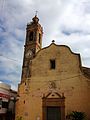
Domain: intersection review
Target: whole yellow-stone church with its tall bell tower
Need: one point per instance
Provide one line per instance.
(53, 83)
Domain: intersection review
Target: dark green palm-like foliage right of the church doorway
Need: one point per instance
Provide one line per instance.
(74, 115)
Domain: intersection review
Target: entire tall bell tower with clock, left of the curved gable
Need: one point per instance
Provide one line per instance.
(33, 44)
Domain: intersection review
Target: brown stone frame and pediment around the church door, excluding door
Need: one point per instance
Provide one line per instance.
(54, 102)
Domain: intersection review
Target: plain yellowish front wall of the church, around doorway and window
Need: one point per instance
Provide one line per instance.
(67, 77)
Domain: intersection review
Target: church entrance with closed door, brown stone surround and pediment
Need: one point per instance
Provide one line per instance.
(53, 106)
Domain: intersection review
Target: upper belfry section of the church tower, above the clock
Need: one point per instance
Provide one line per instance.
(34, 35)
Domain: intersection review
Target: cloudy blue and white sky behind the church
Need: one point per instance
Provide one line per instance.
(65, 21)
